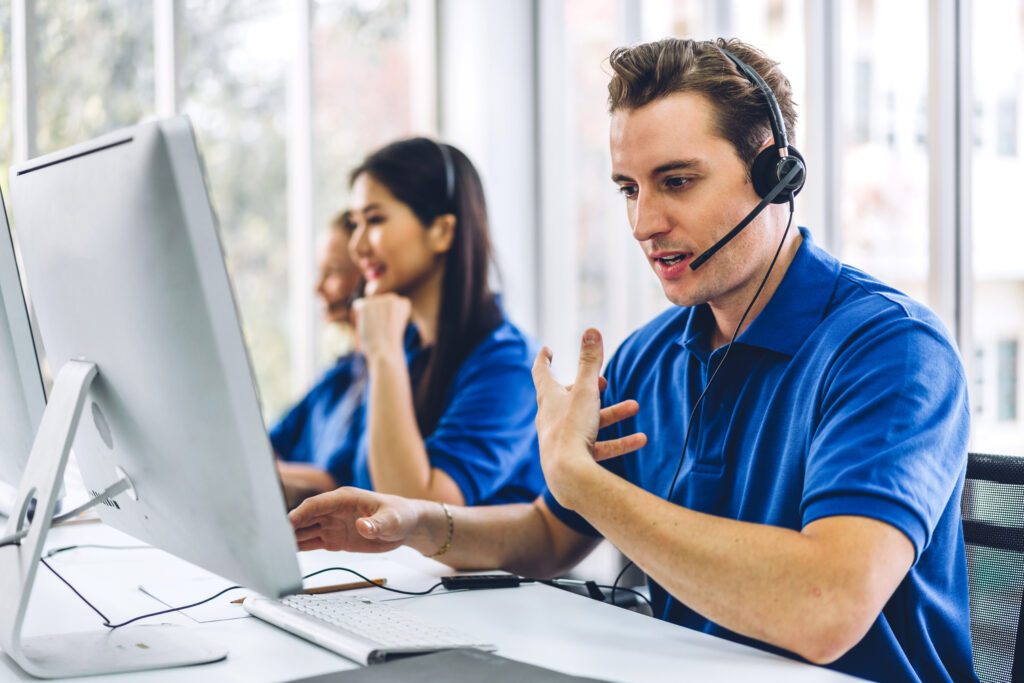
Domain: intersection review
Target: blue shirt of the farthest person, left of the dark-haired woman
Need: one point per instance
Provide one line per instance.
(324, 429)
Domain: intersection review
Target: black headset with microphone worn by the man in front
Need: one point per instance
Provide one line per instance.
(778, 174)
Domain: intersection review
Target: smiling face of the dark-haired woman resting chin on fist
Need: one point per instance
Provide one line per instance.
(394, 250)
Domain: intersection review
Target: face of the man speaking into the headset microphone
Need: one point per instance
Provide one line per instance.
(686, 188)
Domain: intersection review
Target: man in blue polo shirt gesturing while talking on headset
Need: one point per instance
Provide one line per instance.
(817, 509)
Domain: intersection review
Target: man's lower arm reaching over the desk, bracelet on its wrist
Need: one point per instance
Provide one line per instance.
(526, 539)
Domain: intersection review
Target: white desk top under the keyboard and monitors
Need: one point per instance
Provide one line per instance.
(536, 624)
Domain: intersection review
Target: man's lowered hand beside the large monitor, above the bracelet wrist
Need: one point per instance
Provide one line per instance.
(357, 521)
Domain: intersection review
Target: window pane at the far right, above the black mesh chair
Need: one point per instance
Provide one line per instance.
(998, 175)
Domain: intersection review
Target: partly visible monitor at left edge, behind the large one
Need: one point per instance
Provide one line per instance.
(22, 394)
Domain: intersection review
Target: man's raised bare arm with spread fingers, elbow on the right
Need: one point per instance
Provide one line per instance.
(815, 592)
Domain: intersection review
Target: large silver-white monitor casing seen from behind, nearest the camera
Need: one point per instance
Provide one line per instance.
(122, 257)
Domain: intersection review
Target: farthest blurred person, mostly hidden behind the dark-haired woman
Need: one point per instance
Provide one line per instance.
(316, 442)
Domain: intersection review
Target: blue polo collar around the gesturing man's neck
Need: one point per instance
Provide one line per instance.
(796, 309)
